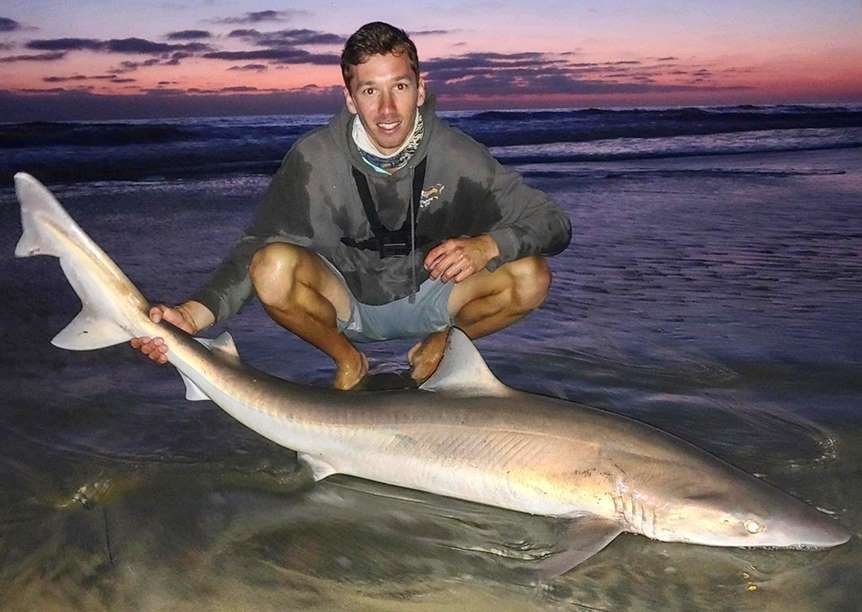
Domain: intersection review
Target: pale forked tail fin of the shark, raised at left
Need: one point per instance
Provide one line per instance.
(103, 288)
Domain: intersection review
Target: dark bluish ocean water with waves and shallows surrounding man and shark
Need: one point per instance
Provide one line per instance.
(713, 289)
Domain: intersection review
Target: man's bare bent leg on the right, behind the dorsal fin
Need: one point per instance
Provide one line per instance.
(484, 303)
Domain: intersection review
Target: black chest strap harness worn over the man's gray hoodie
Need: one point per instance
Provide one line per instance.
(386, 241)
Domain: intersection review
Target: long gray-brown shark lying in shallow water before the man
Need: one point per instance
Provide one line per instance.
(462, 434)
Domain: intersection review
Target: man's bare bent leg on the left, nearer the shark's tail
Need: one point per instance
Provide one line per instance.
(301, 294)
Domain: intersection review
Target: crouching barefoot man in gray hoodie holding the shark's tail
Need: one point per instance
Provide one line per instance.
(386, 223)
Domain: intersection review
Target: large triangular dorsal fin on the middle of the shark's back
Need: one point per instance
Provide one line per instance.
(463, 371)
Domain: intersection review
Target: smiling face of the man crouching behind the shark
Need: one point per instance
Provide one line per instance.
(384, 93)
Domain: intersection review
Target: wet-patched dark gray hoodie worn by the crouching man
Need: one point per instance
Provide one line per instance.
(313, 202)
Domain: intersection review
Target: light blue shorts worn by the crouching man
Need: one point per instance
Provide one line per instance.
(428, 313)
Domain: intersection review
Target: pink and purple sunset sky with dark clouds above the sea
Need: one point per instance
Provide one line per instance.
(94, 59)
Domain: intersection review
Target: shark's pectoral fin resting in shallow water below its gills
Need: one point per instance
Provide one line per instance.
(584, 537)
